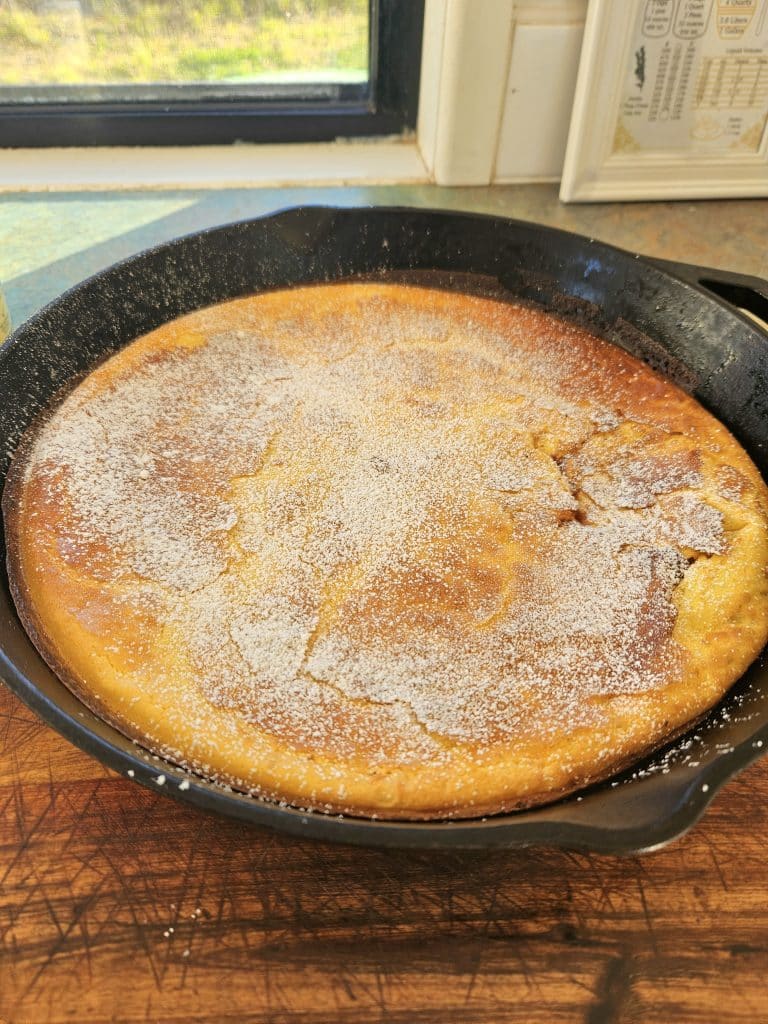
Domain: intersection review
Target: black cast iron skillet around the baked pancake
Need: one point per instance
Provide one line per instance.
(674, 317)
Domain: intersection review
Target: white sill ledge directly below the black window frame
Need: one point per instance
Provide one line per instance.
(211, 166)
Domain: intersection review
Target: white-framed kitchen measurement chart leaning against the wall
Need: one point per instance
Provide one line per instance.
(604, 161)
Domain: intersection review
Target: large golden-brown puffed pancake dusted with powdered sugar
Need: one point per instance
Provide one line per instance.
(387, 550)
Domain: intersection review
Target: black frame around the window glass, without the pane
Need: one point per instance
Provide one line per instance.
(391, 109)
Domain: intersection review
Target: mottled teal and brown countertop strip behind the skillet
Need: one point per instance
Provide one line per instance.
(52, 241)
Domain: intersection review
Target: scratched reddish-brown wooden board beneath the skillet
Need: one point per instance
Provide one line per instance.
(120, 906)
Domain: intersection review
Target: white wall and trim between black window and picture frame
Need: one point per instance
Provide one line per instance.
(498, 80)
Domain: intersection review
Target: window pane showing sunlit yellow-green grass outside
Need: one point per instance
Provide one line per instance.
(94, 51)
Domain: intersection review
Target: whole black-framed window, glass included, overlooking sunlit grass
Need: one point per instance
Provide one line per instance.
(194, 72)
